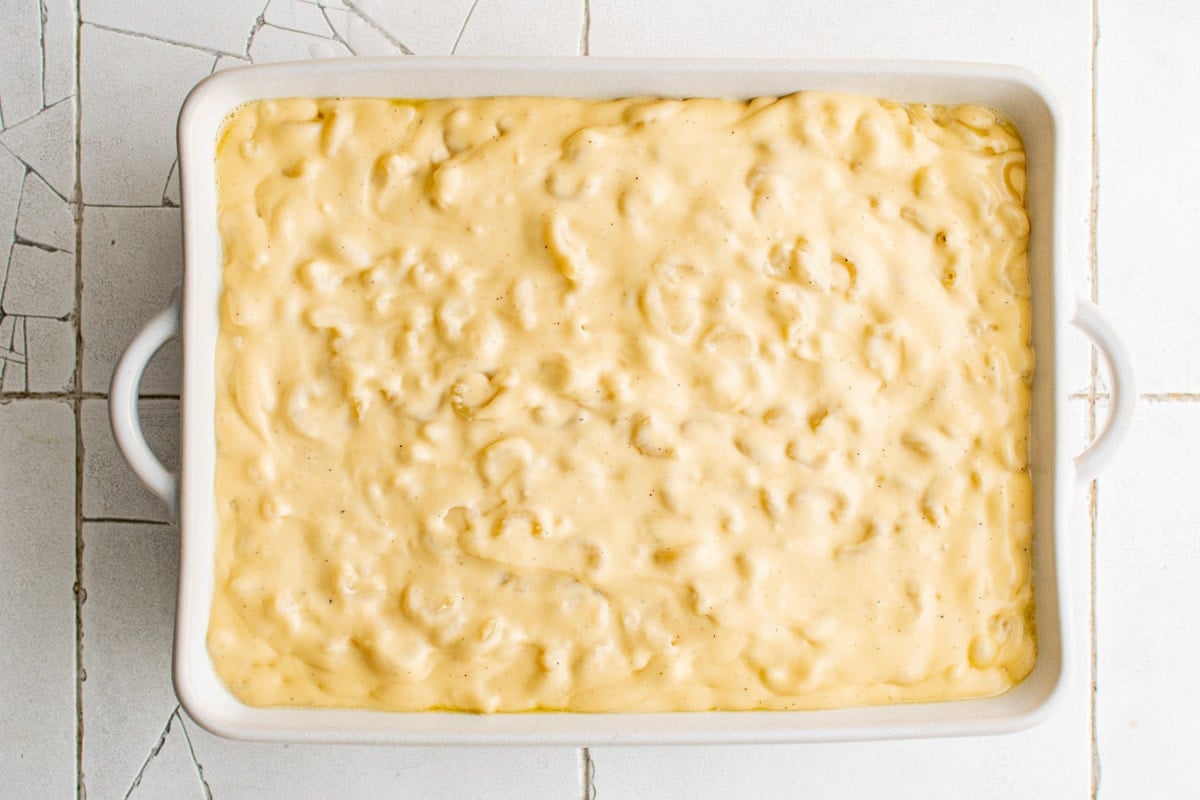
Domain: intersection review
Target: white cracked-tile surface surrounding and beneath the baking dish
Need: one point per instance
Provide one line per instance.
(89, 250)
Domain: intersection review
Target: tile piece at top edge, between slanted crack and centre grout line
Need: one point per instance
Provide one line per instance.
(515, 28)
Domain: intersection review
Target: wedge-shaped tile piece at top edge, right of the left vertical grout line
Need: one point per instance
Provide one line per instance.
(219, 26)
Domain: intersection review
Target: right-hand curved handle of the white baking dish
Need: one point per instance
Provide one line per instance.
(1124, 398)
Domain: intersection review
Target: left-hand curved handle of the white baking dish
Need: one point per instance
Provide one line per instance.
(123, 406)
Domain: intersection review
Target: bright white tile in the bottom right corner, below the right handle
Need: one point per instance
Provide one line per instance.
(1147, 610)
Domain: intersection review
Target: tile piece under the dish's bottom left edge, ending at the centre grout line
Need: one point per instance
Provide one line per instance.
(320, 772)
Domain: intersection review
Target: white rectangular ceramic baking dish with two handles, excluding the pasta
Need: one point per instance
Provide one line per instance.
(1058, 476)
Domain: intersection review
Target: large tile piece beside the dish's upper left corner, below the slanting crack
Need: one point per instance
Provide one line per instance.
(128, 157)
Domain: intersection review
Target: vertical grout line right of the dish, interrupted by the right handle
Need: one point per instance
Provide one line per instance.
(1094, 490)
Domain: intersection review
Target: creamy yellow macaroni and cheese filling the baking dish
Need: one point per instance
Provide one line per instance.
(644, 405)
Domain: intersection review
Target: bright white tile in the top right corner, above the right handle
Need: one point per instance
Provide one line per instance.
(1149, 234)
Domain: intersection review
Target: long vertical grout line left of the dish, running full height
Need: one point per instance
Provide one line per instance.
(81, 593)
